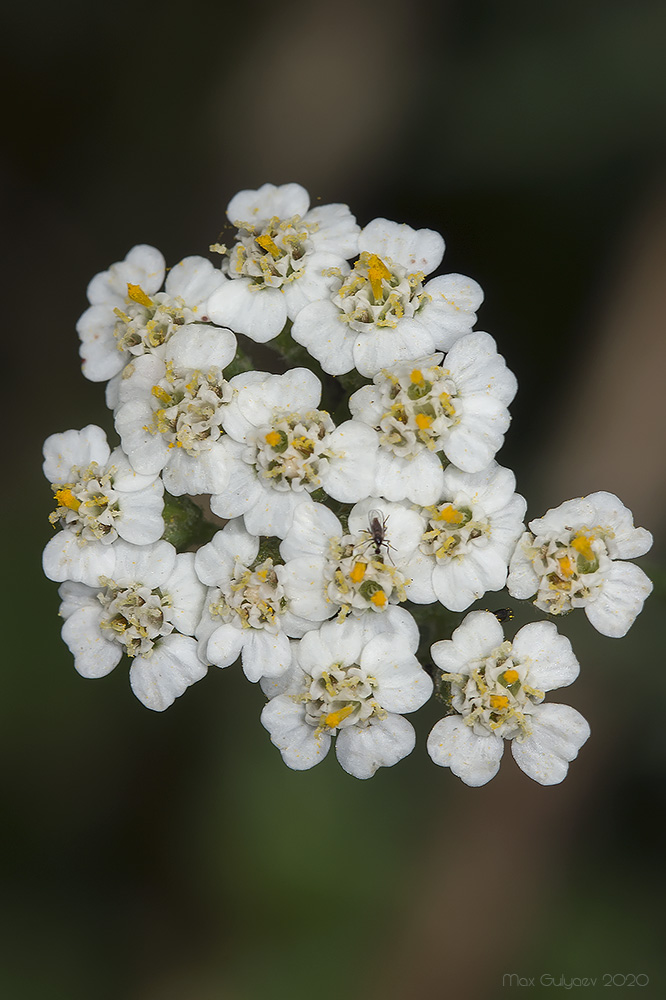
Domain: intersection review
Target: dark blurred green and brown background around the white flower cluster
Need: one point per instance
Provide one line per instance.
(162, 857)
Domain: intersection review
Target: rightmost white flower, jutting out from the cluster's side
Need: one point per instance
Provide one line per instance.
(571, 558)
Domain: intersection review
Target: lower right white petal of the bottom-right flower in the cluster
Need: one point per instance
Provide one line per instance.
(558, 733)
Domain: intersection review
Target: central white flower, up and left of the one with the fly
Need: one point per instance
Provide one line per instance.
(281, 448)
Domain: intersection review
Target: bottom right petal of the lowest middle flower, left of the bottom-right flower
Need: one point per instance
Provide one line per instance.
(381, 744)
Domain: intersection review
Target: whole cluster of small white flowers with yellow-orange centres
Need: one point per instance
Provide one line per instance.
(346, 509)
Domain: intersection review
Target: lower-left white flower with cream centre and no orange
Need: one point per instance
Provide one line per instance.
(148, 609)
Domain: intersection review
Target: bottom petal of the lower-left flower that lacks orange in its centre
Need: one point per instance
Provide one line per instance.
(166, 672)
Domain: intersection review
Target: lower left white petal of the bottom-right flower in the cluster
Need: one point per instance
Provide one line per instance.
(474, 759)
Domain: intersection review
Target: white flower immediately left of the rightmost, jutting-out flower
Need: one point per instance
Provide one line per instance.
(468, 537)
